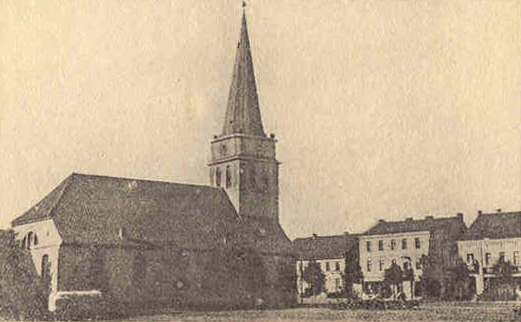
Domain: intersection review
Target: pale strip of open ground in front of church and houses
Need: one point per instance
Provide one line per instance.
(489, 312)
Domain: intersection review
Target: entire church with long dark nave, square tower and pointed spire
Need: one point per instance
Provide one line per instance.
(135, 243)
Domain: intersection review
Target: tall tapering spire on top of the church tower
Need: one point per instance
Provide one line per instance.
(243, 113)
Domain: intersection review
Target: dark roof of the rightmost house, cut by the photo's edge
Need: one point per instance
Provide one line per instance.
(495, 226)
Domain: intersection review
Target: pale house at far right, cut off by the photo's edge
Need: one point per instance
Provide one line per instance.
(492, 238)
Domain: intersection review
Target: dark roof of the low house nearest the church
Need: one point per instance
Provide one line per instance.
(322, 247)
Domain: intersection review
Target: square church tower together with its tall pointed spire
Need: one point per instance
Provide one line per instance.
(243, 156)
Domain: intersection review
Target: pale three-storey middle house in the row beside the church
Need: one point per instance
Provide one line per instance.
(404, 243)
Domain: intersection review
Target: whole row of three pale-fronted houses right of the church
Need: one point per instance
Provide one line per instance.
(491, 238)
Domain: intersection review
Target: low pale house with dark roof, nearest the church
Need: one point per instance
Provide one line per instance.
(330, 252)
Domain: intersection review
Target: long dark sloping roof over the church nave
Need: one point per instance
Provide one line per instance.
(89, 209)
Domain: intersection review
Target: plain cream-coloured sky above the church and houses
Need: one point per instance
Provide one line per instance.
(382, 109)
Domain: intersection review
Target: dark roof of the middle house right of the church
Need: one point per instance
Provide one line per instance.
(415, 225)
